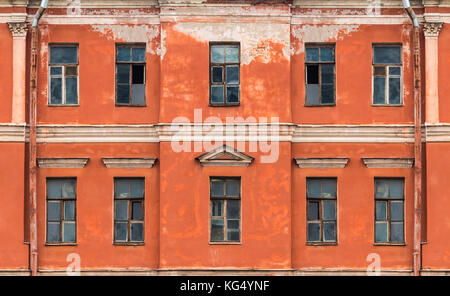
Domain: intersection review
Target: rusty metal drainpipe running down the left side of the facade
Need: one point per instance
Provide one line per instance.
(33, 146)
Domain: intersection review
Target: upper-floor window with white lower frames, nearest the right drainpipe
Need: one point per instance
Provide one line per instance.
(387, 75)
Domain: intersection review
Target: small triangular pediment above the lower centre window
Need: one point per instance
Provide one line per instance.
(224, 156)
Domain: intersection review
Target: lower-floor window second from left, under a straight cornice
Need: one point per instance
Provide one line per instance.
(128, 210)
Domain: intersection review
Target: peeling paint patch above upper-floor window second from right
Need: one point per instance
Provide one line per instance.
(319, 33)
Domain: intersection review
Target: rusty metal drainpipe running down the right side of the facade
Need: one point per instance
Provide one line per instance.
(417, 254)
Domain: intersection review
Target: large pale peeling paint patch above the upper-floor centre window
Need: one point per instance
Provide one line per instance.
(254, 38)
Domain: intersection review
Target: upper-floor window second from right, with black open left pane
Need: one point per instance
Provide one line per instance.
(320, 75)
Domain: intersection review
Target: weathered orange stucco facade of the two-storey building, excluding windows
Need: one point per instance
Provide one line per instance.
(177, 37)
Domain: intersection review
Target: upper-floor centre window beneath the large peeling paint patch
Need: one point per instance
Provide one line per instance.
(224, 74)
